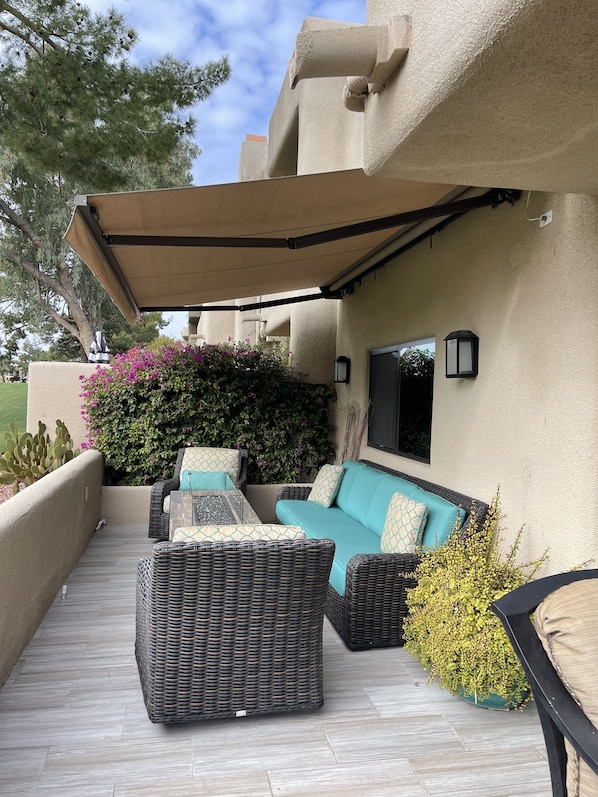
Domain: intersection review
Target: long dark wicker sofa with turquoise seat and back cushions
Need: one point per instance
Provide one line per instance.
(367, 589)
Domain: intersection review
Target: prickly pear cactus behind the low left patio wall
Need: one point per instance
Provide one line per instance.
(27, 458)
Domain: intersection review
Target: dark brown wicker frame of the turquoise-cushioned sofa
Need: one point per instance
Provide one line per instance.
(370, 614)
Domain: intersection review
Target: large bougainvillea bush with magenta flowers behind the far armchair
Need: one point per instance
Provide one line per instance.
(148, 404)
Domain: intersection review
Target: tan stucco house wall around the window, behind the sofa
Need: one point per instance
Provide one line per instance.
(528, 422)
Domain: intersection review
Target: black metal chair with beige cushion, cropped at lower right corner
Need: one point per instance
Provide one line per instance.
(564, 722)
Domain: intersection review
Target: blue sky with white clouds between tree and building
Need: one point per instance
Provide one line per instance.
(259, 39)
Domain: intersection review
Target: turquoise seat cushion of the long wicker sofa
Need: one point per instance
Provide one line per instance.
(350, 536)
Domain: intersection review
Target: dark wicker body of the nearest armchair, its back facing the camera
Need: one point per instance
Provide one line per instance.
(230, 629)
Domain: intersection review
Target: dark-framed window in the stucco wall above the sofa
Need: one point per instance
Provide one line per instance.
(400, 400)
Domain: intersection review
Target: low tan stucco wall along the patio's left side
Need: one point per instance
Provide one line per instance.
(43, 532)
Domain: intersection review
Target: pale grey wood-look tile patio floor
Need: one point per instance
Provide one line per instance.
(73, 722)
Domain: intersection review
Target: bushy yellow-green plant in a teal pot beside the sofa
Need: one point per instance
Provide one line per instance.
(450, 626)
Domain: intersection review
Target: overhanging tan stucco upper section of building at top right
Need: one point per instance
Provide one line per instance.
(496, 93)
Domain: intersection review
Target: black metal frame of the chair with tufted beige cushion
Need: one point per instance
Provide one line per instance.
(560, 715)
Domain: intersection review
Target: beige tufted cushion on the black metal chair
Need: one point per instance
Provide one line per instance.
(567, 624)
